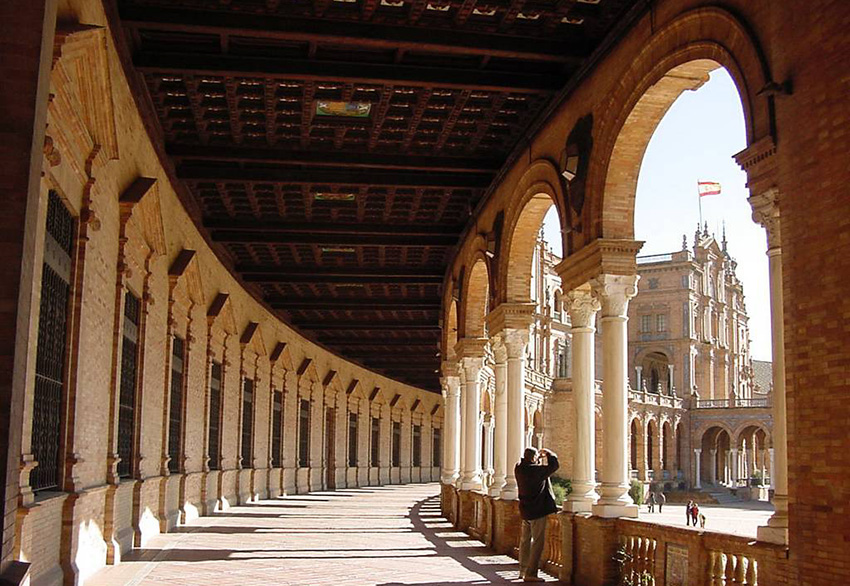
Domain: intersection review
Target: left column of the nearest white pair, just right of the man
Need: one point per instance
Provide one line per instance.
(583, 307)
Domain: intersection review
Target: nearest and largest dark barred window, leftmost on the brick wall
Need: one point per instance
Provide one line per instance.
(52, 342)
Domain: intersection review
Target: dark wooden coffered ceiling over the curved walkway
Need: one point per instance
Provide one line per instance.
(345, 225)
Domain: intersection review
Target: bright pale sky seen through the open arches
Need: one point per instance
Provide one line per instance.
(695, 141)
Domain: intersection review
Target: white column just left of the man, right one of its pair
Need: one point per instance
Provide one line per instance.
(515, 343)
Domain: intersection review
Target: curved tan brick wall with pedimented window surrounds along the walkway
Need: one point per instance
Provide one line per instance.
(134, 236)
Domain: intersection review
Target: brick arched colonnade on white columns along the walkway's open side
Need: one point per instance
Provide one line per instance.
(585, 161)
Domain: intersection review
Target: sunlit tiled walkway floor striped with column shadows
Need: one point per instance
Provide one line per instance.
(374, 536)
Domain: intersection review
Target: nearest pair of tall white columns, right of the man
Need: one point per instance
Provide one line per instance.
(611, 295)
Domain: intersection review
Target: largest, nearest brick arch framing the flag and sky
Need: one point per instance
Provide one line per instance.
(678, 57)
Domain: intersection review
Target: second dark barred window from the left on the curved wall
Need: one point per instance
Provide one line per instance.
(127, 386)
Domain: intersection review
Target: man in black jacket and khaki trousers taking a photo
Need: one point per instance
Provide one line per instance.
(536, 503)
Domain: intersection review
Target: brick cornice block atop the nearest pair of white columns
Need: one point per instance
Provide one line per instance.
(602, 256)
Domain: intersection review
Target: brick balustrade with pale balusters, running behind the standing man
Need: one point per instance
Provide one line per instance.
(595, 551)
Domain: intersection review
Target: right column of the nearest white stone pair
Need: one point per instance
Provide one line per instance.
(614, 293)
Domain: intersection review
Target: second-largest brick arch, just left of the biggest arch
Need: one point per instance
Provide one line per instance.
(537, 190)
